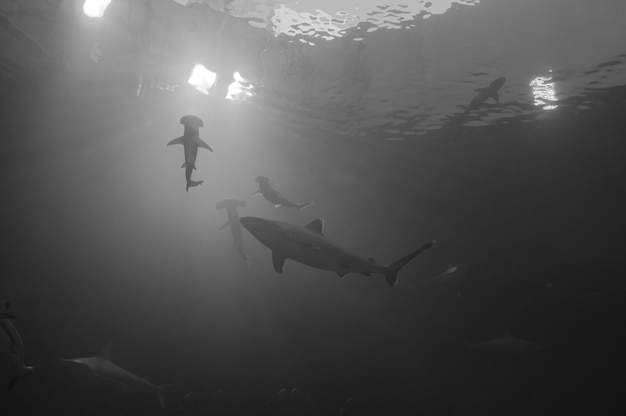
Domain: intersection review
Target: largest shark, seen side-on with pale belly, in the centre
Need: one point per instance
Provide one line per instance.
(308, 245)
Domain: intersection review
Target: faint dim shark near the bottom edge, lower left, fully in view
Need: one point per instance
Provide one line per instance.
(102, 366)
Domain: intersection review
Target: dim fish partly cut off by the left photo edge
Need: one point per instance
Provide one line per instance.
(12, 347)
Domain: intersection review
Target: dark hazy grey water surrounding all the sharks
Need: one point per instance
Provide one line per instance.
(101, 242)
